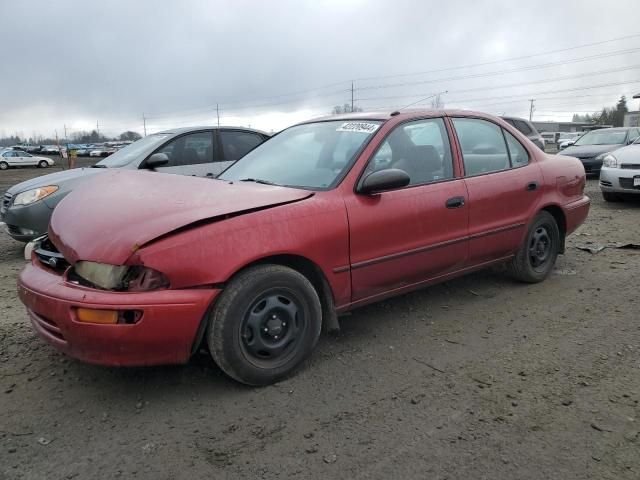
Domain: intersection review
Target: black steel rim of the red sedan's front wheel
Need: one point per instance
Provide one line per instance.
(272, 328)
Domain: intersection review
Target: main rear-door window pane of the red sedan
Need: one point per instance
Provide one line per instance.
(483, 146)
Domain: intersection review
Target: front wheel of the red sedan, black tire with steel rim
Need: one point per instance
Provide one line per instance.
(257, 307)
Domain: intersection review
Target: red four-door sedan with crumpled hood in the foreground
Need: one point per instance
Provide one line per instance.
(141, 268)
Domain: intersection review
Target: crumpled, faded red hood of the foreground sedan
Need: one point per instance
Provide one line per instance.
(110, 217)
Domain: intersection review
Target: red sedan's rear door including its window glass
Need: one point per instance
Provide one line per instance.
(503, 184)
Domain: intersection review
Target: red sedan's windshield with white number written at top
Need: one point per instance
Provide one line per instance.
(312, 156)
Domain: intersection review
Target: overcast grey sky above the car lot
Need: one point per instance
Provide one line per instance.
(270, 64)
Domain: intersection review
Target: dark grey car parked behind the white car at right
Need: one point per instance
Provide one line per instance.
(592, 147)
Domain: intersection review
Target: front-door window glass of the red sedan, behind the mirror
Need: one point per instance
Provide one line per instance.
(420, 148)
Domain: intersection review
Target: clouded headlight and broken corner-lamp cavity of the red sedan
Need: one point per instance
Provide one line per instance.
(120, 278)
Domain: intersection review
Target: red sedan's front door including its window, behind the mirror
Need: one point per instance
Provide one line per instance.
(404, 237)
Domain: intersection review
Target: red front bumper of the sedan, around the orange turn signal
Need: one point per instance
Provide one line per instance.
(164, 334)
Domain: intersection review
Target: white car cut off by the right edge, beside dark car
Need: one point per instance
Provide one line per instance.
(620, 174)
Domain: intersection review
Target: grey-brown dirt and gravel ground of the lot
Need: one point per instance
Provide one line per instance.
(478, 378)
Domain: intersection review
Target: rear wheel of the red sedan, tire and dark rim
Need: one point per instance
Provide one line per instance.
(537, 255)
